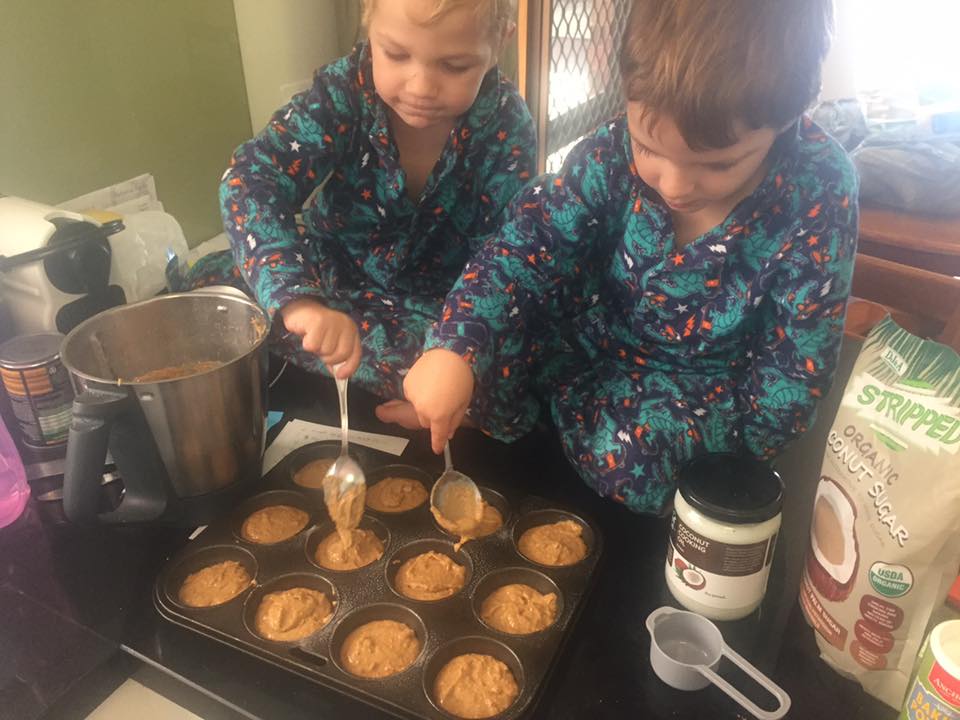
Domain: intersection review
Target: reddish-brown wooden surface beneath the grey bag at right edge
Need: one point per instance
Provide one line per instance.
(930, 243)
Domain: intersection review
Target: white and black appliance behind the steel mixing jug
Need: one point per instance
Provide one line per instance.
(55, 266)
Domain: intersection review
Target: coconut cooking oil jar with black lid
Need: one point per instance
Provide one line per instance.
(723, 532)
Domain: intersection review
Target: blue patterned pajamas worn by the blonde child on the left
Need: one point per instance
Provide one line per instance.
(361, 245)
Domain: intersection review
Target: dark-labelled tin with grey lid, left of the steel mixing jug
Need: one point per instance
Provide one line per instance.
(39, 388)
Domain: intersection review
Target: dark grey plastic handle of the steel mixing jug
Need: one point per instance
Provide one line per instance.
(93, 413)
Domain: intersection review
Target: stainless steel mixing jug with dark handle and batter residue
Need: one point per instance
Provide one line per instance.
(188, 440)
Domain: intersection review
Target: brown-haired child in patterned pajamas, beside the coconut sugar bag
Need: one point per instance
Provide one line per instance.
(680, 286)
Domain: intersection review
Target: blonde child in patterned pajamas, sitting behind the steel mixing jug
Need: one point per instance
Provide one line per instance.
(406, 153)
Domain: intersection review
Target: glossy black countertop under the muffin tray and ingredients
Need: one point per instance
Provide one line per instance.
(70, 597)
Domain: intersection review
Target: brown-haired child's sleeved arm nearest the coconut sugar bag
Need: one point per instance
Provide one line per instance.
(796, 355)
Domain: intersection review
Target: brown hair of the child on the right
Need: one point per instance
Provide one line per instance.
(711, 64)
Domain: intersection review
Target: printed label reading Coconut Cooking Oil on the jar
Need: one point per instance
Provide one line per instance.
(715, 573)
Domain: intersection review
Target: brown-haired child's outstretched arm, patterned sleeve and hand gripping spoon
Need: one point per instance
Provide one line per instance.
(553, 229)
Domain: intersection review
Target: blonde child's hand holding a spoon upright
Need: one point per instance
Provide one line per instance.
(329, 334)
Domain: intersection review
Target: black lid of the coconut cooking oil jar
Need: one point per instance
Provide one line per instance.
(732, 488)
